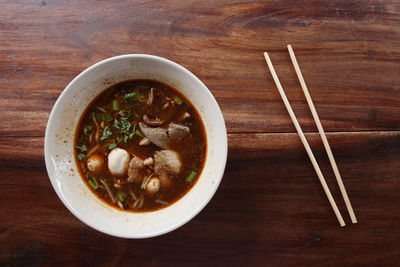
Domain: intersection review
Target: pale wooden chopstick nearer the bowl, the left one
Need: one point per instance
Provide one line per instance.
(304, 141)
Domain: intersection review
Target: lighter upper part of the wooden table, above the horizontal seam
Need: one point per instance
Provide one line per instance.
(348, 52)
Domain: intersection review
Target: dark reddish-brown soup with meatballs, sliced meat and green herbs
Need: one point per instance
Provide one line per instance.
(140, 145)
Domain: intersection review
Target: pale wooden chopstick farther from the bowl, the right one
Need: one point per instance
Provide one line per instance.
(323, 136)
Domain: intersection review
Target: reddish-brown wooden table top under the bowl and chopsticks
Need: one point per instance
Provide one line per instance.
(270, 209)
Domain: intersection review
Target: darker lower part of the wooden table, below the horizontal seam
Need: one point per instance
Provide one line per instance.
(270, 208)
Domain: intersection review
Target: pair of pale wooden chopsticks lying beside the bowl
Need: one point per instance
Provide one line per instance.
(304, 140)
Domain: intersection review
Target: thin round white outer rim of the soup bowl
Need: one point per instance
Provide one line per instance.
(178, 224)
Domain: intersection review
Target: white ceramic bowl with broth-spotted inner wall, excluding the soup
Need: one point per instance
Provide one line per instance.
(59, 150)
